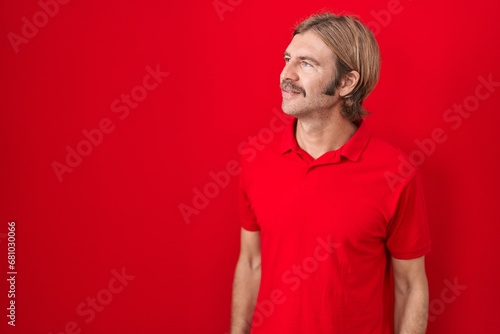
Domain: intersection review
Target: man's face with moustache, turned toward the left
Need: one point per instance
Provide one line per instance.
(308, 76)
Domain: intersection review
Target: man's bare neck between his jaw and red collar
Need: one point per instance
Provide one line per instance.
(317, 136)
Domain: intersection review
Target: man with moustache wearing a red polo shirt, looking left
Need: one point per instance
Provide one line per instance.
(329, 242)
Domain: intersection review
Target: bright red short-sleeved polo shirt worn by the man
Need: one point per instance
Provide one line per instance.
(328, 229)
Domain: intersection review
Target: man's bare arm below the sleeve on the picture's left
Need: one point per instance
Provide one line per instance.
(246, 282)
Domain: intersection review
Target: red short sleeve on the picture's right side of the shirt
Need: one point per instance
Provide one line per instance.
(408, 231)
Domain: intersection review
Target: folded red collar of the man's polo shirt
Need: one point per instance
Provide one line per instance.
(351, 150)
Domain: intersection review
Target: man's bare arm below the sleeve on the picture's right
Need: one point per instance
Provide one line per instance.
(411, 296)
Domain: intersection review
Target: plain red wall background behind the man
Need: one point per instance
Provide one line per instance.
(119, 208)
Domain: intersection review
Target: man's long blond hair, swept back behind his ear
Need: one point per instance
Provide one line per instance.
(355, 48)
